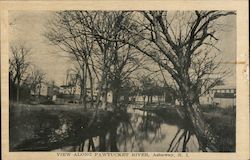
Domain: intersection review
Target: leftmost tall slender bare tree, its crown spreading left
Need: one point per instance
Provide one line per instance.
(64, 32)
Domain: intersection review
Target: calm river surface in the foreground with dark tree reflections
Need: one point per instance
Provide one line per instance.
(143, 132)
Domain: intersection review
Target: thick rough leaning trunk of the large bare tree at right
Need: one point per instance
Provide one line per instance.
(190, 102)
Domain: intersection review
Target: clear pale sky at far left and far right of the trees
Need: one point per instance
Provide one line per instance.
(29, 26)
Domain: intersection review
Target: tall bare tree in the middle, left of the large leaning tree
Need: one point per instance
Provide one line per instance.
(118, 60)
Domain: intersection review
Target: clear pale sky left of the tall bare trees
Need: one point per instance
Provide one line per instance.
(30, 27)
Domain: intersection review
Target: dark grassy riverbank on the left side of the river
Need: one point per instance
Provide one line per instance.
(48, 127)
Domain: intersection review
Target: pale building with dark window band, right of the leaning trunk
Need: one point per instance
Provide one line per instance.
(222, 96)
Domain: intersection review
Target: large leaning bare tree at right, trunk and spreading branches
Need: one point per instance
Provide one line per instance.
(184, 44)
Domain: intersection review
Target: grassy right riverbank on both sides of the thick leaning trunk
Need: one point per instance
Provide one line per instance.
(222, 122)
